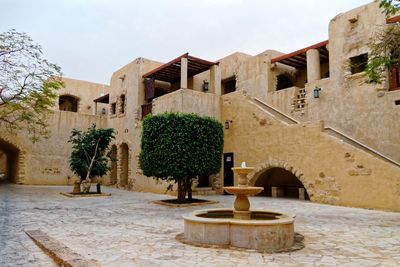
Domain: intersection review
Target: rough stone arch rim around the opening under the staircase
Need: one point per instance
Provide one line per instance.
(263, 168)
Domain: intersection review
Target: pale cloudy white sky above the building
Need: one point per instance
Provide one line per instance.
(90, 39)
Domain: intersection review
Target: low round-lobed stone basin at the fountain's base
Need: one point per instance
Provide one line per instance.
(264, 231)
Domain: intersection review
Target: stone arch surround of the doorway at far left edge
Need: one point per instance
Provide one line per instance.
(15, 160)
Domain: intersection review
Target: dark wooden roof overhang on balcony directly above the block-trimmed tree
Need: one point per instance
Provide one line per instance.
(171, 71)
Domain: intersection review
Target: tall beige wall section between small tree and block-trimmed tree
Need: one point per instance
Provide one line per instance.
(128, 81)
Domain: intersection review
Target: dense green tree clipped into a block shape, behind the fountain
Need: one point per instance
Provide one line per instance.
(179, 147)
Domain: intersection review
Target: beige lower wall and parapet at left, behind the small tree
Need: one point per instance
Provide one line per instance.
(46, 161)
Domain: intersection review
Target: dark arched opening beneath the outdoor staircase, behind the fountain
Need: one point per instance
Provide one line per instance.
(278, 182)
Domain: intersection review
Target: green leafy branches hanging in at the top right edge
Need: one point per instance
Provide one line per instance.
(384, 46)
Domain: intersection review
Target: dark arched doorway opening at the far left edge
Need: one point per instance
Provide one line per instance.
(9, 155)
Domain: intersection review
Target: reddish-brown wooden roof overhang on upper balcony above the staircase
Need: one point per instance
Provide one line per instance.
(298, 59)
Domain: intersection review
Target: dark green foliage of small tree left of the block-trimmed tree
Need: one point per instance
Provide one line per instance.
(90, 151)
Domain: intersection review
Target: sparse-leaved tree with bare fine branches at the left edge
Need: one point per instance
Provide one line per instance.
(28, 84)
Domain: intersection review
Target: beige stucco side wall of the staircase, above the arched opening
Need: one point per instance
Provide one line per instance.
(333, 172)
